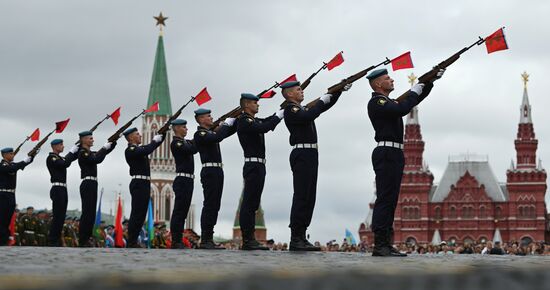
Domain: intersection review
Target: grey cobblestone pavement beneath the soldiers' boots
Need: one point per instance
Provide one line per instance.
(72, 268)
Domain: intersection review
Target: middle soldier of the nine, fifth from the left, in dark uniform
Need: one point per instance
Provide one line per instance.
(183, 151)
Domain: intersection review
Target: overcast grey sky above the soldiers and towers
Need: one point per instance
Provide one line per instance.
(62, 59)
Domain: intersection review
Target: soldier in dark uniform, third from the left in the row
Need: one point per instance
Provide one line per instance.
(88, 161)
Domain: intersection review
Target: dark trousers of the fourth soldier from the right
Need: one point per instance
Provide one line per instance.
(212, 186)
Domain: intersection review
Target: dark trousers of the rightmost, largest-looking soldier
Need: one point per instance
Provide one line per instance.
(388, 164)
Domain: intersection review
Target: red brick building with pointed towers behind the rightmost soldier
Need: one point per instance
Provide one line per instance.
(469, 204)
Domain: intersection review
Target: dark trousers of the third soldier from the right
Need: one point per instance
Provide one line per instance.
(254, 179)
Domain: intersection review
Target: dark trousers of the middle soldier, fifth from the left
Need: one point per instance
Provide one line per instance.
(183, 189)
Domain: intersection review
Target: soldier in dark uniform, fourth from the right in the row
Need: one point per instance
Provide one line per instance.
(208, 144)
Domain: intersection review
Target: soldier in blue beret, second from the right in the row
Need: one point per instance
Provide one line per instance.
(304, 158)
